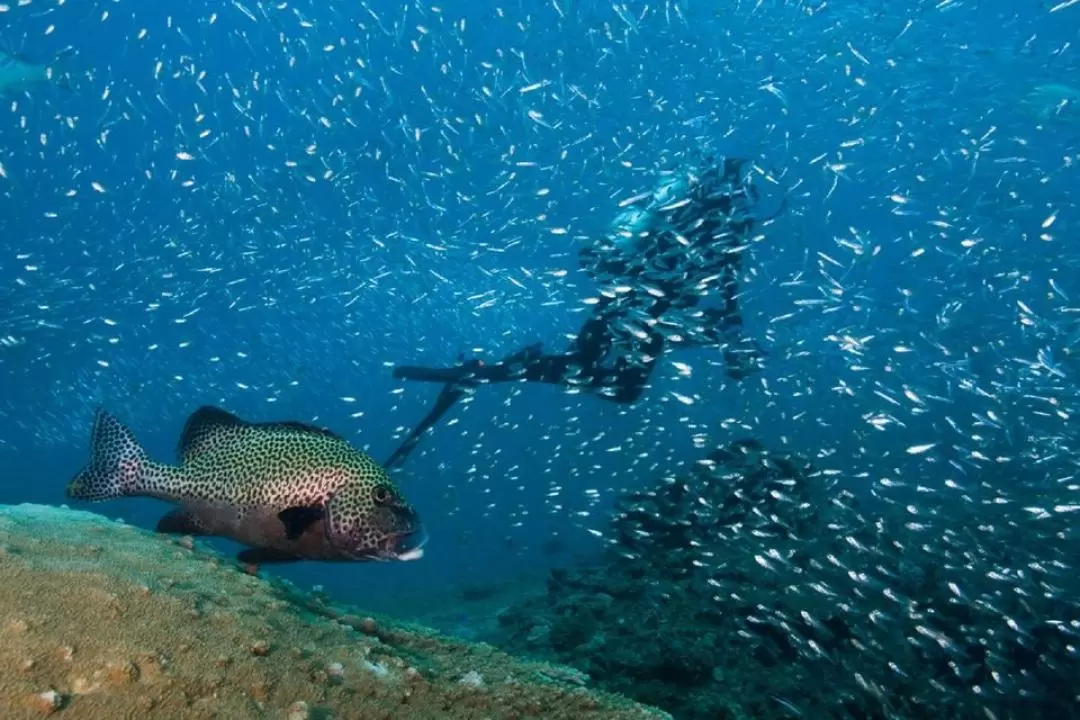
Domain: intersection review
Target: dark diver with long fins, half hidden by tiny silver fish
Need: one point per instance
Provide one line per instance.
(664, 254)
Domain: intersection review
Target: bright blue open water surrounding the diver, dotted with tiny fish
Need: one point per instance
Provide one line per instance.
(276, 296)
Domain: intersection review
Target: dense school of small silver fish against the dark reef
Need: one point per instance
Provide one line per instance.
(941, 609)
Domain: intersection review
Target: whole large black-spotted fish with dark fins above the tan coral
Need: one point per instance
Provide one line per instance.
(288, 491)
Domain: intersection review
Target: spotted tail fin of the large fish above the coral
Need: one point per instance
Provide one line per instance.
(118, 465)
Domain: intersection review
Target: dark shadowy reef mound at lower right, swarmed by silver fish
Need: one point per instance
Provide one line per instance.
(758, 588)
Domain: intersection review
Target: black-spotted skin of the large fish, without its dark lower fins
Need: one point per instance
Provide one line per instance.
(252, 469)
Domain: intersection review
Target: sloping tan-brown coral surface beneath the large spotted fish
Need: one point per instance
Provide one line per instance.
(104, 621)
